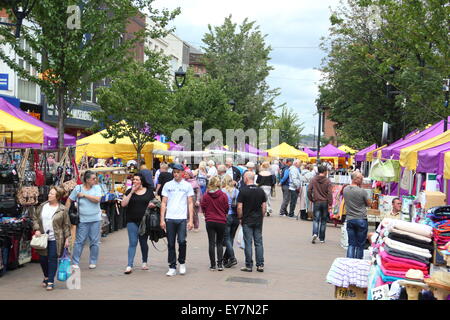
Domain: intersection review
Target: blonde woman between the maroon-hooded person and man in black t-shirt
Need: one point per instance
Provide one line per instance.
(228, 187)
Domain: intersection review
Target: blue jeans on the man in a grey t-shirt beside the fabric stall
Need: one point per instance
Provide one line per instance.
(357, 235)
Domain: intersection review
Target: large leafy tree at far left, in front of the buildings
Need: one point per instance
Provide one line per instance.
(71, 59)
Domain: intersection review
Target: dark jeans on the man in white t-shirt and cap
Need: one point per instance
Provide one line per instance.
(176, 230)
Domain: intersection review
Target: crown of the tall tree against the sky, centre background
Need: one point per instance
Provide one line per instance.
(239, 58)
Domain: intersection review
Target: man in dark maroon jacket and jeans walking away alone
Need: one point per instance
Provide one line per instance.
(321, 194)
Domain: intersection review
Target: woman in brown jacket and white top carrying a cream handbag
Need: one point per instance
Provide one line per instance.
(52, 218)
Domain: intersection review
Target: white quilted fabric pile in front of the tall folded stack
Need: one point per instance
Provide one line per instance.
(345, 272)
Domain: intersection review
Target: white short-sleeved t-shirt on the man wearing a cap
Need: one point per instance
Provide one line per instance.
(177, 194)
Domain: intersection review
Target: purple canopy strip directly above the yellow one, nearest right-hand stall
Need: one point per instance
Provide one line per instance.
(393, 151)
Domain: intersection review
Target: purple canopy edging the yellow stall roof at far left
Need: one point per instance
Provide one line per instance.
(50, 133)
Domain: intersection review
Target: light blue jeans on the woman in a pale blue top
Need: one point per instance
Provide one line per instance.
(85, 230)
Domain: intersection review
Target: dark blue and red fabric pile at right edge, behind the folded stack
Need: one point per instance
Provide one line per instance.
(439, 219)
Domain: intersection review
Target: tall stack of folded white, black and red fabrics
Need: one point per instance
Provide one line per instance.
(404, 246)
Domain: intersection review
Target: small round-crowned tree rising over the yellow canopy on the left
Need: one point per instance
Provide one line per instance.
(137, 105)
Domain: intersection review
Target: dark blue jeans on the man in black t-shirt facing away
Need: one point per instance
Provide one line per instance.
(253, 232)
